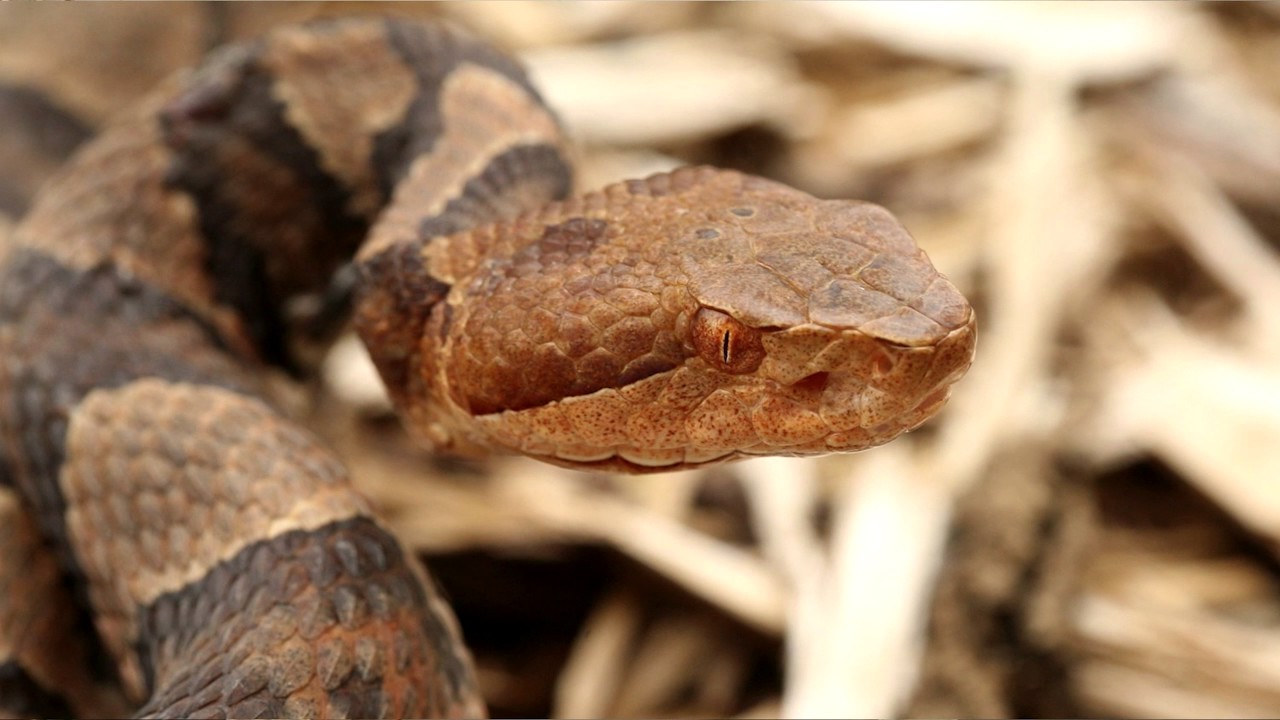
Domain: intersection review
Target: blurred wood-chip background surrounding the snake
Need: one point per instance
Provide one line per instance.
(1091, 527)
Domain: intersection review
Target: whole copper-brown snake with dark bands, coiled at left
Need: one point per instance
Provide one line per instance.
(213, 553)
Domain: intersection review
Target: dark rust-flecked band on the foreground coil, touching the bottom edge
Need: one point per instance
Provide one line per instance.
(340, 630)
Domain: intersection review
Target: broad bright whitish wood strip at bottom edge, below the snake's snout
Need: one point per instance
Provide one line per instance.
(856, 651)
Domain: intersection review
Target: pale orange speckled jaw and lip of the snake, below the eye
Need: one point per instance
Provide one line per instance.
(817, 391)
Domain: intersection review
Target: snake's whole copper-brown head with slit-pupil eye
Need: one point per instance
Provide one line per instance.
(684, 320)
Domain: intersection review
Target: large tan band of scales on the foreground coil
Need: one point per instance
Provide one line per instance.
(150, 522)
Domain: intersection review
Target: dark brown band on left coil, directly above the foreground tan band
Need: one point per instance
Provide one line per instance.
(124, 330)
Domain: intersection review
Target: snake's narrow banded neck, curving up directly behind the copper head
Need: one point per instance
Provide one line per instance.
(486, 149)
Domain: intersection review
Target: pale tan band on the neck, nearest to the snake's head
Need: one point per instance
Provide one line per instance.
(484, 113)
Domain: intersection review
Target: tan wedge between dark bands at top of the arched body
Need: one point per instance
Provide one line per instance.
(365, 89)
